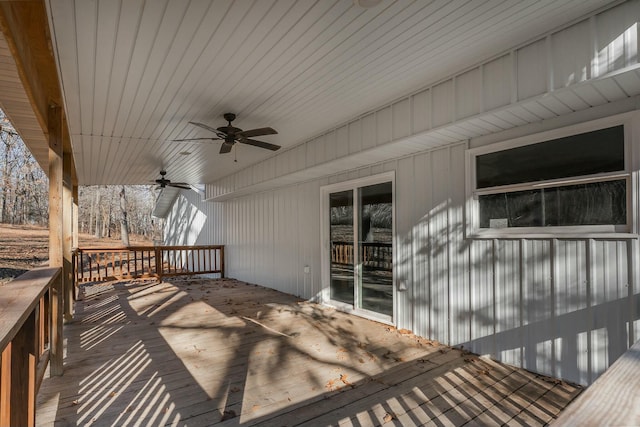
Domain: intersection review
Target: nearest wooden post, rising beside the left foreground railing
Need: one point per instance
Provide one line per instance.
(56, 258)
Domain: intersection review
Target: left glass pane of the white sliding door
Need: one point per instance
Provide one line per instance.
(341, 229)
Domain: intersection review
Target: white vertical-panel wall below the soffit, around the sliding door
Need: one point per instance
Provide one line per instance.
(562, 307)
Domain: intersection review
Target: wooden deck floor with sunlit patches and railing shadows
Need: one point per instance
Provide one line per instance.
(221, 352)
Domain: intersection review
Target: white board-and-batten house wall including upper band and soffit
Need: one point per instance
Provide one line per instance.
(566, 307)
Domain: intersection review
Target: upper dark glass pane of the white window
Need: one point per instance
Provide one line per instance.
(584, 154)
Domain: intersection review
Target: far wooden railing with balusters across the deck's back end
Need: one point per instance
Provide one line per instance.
(101, 264)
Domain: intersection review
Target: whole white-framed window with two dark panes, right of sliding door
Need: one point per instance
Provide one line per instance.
(573, 183)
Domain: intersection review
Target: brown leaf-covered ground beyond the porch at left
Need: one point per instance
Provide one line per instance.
(26, 247)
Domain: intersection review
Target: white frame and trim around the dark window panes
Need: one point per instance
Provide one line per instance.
(473, 229)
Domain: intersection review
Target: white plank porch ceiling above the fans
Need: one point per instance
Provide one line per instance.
(135, 72)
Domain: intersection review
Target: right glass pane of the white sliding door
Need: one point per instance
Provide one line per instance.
(375, 257)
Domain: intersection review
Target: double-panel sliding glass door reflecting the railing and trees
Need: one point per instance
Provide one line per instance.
(361, 274)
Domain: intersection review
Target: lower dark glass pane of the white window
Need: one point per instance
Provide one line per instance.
(597, 203)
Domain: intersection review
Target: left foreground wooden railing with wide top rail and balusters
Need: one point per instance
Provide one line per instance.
(28, 339)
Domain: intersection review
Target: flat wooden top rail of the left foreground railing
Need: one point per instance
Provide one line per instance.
(19, 297)
